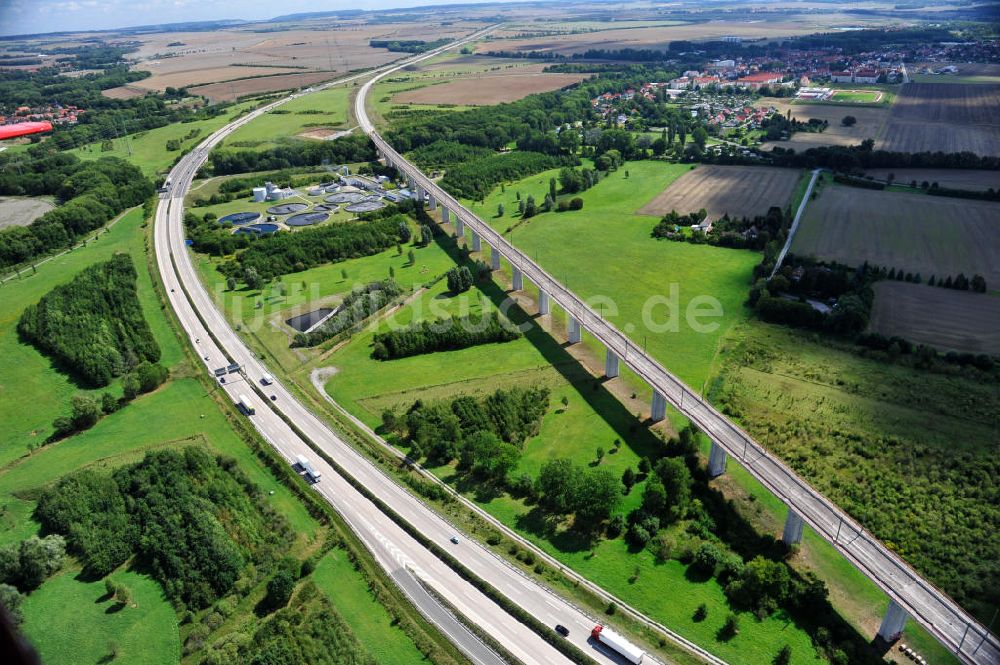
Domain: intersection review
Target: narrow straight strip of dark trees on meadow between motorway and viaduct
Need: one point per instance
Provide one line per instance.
(443, 335)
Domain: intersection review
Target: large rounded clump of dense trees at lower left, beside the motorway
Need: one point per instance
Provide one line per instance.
(194, 522)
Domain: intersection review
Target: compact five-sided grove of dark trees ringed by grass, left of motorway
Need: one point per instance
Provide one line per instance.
(93, 326)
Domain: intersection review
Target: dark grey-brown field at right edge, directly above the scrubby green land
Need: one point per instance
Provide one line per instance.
(961, 320)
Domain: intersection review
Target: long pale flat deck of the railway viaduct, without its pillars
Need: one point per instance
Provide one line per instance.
(928, 605)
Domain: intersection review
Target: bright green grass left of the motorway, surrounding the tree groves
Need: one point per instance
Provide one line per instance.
(64, 618)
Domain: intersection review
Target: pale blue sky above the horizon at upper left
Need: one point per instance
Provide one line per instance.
(18, 17)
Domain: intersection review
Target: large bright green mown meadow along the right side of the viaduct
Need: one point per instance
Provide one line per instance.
(606, 252)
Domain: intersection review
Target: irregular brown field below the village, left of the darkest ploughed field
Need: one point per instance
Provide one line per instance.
(870, 123)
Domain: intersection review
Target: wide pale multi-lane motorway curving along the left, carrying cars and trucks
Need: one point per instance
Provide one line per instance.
(394, 549)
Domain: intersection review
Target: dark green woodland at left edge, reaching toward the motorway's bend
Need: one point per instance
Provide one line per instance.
(90, 193)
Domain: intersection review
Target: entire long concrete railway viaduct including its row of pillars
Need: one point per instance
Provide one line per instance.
(909, 594)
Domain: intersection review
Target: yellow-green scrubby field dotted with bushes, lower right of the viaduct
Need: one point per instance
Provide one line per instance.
(900, 449)
